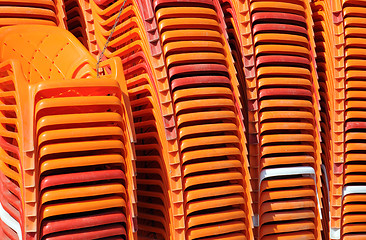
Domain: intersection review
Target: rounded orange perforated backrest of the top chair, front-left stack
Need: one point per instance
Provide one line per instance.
(46, 53)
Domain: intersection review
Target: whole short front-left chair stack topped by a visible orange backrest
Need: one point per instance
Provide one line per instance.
(67, 136)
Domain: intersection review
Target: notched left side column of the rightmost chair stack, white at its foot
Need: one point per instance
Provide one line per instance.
(338, 130)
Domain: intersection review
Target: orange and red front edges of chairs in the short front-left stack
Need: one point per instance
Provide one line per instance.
(86, 197)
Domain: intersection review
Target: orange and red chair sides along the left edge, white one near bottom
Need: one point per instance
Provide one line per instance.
(11, 145)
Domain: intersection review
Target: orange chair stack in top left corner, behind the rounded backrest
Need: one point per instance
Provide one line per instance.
(43, 12)
